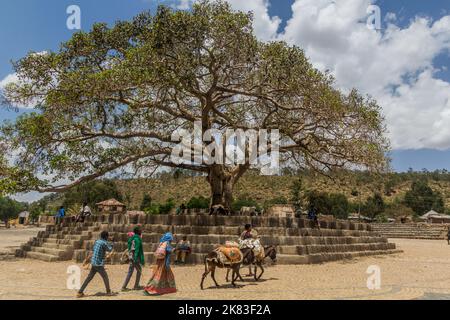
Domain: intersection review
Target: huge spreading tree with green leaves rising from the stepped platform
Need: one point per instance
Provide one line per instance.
(109, 100)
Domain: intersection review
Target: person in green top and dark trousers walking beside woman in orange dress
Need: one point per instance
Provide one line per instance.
(136, 256)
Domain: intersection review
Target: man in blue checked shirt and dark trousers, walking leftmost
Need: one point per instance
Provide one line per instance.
(101, 246)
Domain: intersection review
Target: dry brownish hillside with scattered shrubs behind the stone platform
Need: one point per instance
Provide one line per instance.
(261, 188)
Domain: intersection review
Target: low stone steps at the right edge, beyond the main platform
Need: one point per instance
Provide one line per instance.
(412, 230)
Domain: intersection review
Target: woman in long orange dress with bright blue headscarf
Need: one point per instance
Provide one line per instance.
(162, 280)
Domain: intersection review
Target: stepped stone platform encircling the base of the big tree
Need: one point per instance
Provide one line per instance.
(296, 240)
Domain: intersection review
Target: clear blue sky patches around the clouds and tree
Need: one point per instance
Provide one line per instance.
(38, 25)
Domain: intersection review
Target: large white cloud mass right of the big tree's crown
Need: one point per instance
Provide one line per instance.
(395, 66)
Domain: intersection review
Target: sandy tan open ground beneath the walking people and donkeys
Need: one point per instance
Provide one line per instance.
(422, 271)
